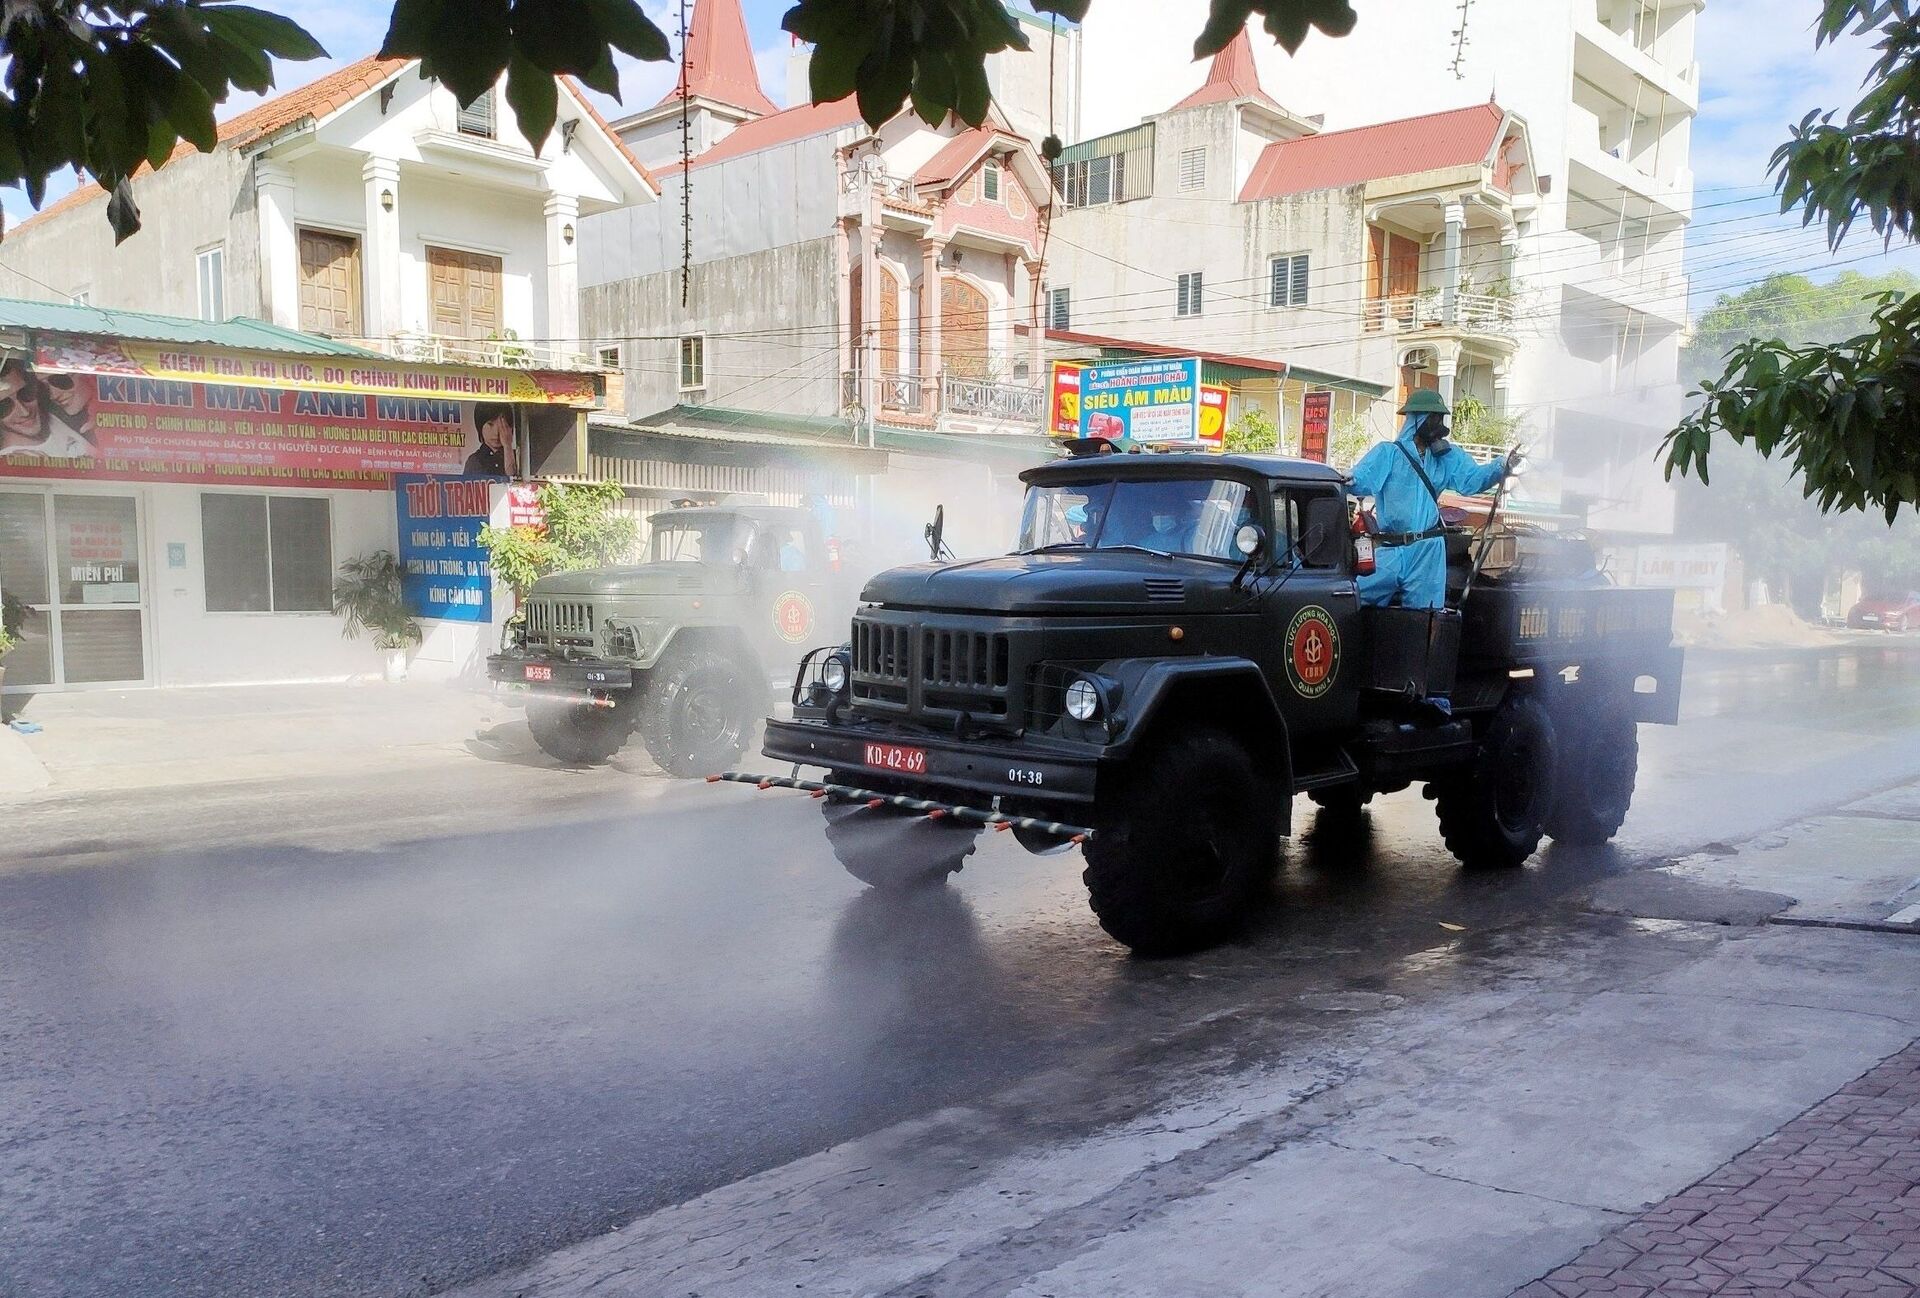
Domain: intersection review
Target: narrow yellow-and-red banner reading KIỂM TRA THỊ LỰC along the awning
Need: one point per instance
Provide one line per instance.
(372, 375)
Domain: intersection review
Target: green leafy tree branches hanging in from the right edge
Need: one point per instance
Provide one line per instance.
(1844, 416)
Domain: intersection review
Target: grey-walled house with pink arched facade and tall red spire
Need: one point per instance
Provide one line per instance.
(805, 266)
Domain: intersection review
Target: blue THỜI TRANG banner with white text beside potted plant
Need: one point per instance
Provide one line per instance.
(446, 571)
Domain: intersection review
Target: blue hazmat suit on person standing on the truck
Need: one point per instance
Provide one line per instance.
(1414, 577)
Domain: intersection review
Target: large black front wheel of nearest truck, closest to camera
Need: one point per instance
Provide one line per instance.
(1184, 850)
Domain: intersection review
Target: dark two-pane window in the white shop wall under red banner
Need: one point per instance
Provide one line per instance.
(268, 554)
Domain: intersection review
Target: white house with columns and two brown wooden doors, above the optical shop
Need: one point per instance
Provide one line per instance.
(368, 206)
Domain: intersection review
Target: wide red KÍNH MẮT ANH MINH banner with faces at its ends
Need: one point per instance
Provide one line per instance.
(64, 425)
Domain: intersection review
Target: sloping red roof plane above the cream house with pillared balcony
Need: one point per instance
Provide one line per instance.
(1389, 149)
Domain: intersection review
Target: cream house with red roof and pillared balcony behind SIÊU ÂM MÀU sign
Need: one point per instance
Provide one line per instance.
(1360, 262)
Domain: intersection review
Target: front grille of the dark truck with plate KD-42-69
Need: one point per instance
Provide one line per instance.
(930, 671)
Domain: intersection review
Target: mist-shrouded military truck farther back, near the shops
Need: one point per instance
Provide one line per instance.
(686, 648)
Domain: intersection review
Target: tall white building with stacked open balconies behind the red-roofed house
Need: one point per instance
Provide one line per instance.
(1608, 91)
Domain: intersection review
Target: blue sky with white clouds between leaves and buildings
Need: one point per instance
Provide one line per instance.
(1760, 74)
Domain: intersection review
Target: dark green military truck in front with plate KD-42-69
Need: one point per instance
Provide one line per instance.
(1178, 650)
